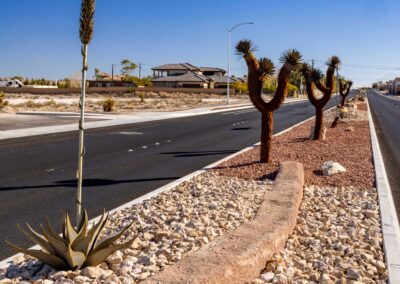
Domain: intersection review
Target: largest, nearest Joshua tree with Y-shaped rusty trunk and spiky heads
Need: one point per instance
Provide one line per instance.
(258, 70)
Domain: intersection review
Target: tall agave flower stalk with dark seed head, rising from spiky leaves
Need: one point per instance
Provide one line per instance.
(86, 34)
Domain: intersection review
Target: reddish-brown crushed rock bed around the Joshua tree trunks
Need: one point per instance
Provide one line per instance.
(352, 149)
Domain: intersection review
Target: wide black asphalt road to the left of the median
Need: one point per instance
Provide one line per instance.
(37, 174)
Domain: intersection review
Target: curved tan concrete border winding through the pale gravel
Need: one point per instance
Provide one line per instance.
(239, 256)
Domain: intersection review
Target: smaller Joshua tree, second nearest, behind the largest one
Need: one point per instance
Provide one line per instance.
(314, 77)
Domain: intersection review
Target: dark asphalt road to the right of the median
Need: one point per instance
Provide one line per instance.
(386, 115)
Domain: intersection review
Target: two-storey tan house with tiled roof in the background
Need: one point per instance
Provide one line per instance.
(186, 75)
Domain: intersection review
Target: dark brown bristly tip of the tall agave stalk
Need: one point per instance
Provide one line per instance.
(87, 21)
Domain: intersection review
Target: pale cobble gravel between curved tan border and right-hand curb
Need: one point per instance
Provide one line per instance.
(337, 239)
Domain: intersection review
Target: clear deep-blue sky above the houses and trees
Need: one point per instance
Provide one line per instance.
(39, 38)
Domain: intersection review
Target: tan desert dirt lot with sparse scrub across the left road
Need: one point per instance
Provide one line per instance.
(124, 103)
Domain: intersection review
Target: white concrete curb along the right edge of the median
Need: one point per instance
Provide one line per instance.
(389, 220)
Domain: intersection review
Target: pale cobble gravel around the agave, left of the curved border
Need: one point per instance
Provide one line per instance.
(166, 227)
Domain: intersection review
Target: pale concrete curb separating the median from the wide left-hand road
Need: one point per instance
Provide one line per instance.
(6, 262)
